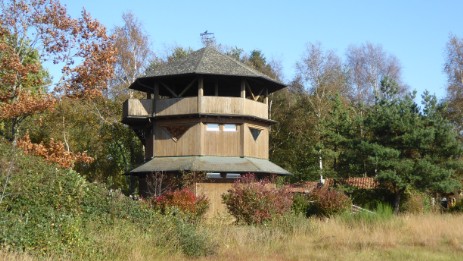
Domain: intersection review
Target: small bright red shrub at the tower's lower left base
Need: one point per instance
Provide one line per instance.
(183, 199)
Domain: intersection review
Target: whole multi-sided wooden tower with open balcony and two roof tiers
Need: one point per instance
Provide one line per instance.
(206, 113)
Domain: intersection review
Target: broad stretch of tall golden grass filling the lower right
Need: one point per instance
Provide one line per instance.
(383, 237)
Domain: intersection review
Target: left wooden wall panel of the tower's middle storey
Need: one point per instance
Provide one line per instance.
(186, 145)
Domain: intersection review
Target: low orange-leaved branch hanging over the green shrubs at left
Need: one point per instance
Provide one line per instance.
(54, 152)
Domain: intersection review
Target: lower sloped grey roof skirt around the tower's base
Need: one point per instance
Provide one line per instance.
(211, 164)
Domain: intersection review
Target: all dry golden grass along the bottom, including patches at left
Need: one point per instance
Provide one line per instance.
(406, 237)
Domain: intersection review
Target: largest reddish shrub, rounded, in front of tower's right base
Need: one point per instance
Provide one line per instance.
(253, 202)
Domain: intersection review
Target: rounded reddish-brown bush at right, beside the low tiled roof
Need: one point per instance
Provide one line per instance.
(327, 202)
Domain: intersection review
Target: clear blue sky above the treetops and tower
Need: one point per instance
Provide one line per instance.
(416, 32)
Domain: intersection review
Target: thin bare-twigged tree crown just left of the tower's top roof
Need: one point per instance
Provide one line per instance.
(133, 54)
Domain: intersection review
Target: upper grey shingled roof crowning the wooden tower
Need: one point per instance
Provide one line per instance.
(206, 61)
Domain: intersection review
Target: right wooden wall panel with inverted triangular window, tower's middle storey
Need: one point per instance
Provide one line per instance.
(256, 148)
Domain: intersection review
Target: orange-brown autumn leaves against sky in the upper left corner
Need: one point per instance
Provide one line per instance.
(81, 47)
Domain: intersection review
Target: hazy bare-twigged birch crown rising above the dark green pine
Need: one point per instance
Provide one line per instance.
(368, 65)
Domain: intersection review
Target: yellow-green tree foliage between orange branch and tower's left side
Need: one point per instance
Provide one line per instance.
(92, 126)
